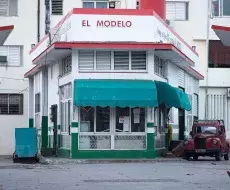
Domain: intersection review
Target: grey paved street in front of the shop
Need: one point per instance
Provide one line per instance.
(168, 175)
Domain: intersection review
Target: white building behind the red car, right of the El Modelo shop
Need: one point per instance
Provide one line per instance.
(193, 20)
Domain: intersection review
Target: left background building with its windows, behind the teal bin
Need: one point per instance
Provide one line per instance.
(14, 62)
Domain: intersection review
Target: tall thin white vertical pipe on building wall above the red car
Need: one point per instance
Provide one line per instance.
(207, 57)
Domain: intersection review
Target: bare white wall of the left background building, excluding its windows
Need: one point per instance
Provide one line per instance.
(25, 34)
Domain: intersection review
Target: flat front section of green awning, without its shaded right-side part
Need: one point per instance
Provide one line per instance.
(121, 93)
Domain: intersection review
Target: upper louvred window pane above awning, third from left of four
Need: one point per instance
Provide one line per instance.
(121, 60)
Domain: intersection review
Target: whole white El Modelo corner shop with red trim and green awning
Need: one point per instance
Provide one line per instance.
(104, 83)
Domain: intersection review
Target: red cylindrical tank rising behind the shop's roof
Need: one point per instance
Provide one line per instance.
(159, 6)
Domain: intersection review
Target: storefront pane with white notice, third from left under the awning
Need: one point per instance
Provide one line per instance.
(122, 120)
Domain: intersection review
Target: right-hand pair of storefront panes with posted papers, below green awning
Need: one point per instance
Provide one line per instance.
(123, 120)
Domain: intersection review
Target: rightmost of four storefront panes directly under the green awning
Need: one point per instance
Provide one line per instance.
(138, 120)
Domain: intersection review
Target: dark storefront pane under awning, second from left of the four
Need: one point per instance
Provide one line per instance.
(103, 119)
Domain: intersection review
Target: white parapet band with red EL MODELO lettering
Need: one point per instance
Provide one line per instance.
(118, 28)
